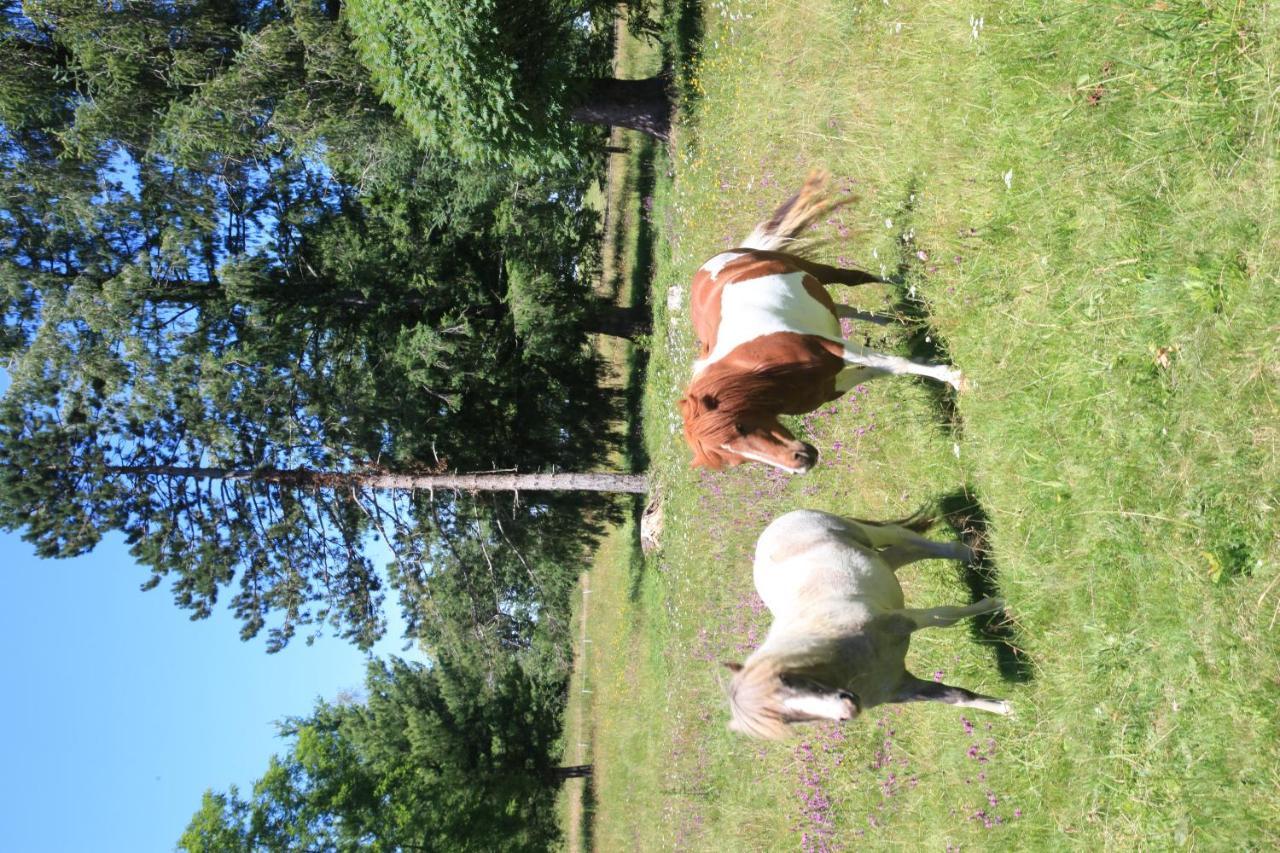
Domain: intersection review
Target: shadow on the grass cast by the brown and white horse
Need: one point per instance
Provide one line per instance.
(922, 343)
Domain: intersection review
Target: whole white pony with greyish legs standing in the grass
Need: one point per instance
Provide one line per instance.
(840, 630)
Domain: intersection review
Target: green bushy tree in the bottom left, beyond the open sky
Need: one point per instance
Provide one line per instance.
(441, 758)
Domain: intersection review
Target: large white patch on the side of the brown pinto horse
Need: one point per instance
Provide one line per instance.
(764, 307)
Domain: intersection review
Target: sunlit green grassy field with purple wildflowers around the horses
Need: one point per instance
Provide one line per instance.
(1078, 204)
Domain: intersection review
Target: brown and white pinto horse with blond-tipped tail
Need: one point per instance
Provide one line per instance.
(771, 344)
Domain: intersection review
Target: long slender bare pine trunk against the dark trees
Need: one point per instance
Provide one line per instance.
(387, 481)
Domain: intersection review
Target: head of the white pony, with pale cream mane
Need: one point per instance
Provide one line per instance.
(765, 700)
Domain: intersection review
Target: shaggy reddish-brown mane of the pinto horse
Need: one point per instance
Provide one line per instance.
(716, 404)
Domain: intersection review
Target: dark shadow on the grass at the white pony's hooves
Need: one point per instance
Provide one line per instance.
(964, 514)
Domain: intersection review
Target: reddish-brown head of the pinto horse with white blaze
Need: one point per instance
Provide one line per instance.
(726, 435)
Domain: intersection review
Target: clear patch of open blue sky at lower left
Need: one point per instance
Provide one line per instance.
(120, 711)
